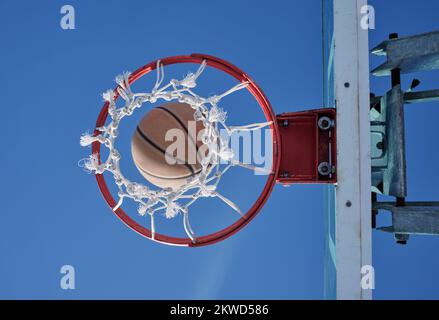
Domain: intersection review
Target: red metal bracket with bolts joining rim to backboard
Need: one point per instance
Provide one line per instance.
(308, 146)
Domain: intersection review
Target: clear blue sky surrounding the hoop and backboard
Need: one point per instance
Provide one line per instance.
(53, 213)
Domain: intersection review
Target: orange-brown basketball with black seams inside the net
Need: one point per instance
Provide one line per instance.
(165, 147)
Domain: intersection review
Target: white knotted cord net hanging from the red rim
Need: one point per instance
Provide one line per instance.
(219, 158)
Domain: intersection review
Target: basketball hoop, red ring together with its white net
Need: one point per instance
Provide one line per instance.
(205, 186)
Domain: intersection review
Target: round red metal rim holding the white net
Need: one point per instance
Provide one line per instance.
(254, 89)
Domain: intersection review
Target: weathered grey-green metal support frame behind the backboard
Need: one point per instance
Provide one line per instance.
(389, 177)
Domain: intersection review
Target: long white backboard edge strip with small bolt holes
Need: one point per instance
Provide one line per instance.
(353, 223)
